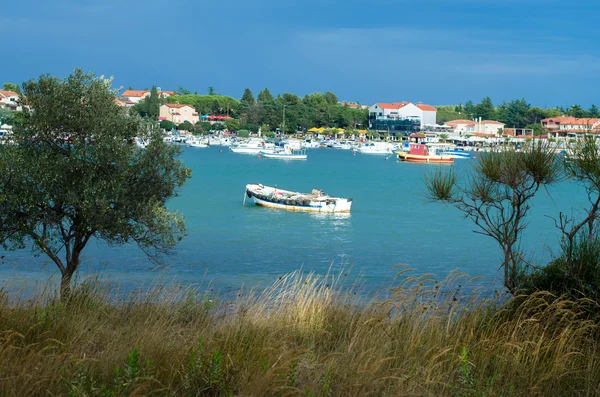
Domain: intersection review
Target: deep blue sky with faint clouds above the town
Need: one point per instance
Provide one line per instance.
(435, 51)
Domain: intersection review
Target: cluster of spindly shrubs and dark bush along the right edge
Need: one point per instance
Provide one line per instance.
(497, 195)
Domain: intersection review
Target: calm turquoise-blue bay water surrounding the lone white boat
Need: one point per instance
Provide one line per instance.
(229, 245)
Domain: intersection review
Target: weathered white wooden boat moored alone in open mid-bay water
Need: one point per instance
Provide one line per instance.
(315, 201)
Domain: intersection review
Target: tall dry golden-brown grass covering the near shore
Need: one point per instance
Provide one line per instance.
(303, 336)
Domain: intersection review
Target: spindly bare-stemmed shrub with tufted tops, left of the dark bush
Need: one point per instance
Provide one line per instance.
(497, 195)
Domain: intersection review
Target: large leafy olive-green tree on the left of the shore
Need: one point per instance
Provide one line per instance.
(75, 174)
